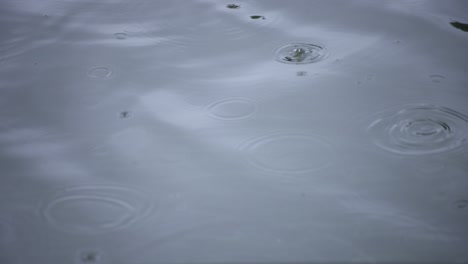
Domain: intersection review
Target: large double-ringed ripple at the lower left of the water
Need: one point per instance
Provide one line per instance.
(95, 209)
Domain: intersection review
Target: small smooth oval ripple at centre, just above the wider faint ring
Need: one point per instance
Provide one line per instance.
(232, 108)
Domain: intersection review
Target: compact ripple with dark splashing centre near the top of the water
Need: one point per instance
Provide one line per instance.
(300, 53)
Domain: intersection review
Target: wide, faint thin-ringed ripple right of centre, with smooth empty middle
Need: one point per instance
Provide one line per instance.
(294, 153)
